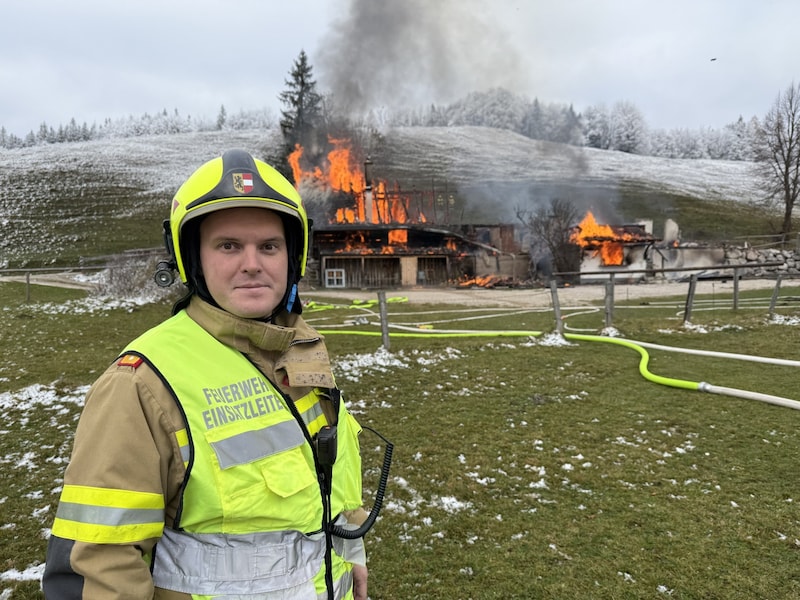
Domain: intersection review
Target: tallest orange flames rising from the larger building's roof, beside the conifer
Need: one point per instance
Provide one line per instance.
(375, 205)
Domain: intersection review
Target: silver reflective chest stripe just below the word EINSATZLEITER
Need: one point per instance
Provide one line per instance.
(246, 447)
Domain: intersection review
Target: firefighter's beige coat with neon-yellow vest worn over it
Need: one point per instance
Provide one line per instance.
(193, 460)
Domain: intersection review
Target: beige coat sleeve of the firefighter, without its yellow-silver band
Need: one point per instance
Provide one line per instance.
(125, 440)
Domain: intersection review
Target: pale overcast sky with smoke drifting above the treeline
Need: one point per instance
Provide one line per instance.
(97, 59)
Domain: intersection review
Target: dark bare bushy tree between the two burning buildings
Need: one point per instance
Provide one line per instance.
(551, 226)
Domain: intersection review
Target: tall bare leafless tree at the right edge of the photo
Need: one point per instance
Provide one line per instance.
(778, 152)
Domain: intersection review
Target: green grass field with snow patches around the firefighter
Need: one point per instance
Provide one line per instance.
(524, 466)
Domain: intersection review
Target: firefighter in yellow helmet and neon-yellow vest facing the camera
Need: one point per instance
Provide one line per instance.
(197, 469)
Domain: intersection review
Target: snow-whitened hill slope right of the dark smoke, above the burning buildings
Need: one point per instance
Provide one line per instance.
(475, 156)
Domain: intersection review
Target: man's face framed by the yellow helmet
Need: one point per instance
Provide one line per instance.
(244, 260)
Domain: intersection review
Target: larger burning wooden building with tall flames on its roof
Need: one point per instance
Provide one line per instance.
(372, 235)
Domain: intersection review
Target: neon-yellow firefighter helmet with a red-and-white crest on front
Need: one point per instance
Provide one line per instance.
(235, 179)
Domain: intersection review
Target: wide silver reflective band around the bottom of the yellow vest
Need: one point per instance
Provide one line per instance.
(280, 564)
